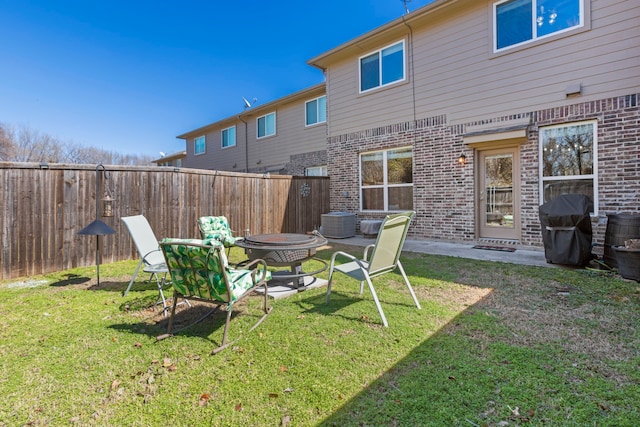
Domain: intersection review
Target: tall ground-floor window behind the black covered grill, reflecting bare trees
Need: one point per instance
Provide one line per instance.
(567, 154)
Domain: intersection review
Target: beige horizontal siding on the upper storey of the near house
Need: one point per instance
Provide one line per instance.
(458, 75)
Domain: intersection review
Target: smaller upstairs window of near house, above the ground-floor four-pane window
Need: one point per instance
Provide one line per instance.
(383, 67)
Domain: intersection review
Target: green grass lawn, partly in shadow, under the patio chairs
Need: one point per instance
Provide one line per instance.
(494, 345)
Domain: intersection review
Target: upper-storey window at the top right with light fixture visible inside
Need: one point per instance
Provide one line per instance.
(520, 21)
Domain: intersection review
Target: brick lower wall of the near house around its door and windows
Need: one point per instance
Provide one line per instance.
(444, 190)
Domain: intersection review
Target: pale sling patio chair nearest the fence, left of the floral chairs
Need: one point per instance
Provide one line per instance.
(150, 254)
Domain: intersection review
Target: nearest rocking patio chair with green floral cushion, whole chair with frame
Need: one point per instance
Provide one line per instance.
(200, 271)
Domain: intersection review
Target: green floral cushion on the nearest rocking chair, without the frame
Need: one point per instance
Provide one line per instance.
(199, 270)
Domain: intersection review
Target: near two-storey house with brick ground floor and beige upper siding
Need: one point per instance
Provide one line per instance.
(473, 113)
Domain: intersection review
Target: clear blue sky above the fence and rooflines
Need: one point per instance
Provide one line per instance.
(129, 76)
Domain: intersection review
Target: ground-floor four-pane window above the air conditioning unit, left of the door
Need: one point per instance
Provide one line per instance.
(386, 180)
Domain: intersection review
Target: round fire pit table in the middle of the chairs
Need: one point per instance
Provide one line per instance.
(285, 250)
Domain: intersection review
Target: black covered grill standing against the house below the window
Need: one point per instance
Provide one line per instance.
(566, 229)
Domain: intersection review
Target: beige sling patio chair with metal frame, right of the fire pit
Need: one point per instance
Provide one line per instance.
(385, 258)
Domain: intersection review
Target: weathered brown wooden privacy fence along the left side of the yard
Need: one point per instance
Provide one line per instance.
(45, 205)
